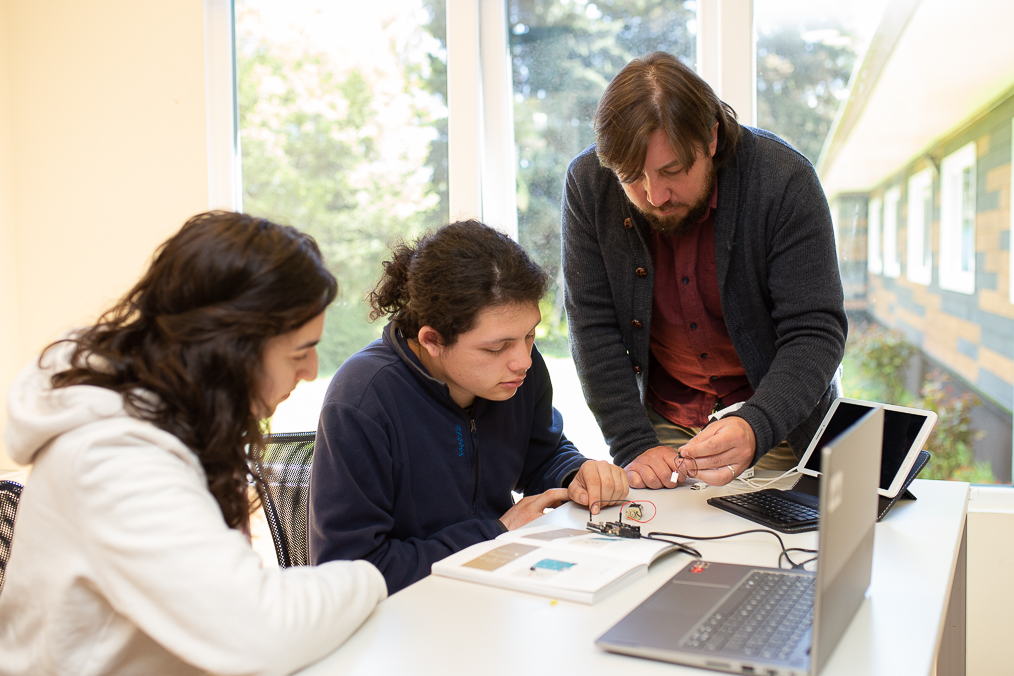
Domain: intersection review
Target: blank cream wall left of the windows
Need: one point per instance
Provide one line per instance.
(103, 157)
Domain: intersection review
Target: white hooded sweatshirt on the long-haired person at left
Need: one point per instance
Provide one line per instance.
(122, 563)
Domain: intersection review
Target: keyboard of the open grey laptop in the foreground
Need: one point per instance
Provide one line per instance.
(768, 624)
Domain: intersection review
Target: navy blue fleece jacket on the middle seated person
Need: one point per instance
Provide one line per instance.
(404, 477)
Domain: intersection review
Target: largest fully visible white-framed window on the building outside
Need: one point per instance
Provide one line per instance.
(958, 221)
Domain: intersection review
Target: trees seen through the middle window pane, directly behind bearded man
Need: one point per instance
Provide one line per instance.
(563, 55)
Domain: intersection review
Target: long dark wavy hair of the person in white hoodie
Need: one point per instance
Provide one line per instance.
(193, 333)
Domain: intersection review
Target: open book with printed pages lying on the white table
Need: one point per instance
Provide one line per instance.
(560, 563)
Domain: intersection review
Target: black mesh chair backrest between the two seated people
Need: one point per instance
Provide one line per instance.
(284, 491)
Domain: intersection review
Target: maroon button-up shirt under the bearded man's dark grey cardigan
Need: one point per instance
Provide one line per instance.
(695, 366)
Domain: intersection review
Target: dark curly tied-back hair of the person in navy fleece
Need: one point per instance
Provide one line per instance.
(451, 276)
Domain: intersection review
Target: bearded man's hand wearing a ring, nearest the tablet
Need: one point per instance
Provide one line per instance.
(722, 450)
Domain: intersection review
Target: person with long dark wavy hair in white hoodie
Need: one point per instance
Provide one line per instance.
(131, 553)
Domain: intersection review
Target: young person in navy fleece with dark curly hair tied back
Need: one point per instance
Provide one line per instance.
(425, 433)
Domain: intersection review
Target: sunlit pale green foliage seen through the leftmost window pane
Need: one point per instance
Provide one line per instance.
(323, 152)
